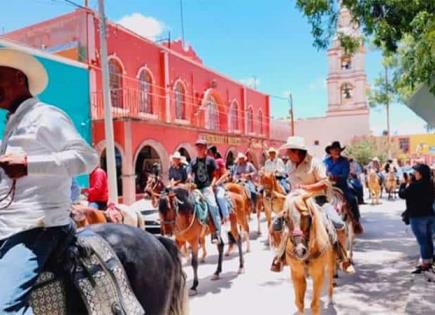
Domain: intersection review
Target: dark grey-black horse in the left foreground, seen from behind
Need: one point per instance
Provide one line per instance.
(152, 265)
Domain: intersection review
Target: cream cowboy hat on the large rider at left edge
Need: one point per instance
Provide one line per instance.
(35, 72)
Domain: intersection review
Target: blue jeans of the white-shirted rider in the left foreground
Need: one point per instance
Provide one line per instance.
(22, 258)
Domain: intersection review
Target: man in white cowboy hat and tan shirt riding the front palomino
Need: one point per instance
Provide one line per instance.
(308, 173)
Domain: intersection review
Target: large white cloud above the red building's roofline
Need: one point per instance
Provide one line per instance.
(145, 26)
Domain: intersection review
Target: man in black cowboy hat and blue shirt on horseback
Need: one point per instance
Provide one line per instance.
(338, 168)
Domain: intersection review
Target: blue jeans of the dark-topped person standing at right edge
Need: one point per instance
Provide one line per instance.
(422, 228)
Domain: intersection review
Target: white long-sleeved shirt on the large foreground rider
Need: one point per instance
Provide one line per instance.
(55, 153)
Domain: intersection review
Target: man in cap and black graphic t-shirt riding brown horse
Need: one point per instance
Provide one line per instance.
(202, 170)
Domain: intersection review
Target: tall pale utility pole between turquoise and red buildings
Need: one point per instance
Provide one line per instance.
(108, 120)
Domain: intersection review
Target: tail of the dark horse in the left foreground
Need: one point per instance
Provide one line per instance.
(179, 298)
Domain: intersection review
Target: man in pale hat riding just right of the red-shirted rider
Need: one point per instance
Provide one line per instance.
(245, 171)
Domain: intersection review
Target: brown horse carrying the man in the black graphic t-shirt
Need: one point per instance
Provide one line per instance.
(180, 217)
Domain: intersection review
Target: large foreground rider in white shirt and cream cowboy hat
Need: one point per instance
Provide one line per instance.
(40, 153)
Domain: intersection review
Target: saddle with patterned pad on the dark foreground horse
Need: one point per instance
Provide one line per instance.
(86, 263)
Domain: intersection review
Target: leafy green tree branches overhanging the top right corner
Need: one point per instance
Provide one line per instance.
(403, 27)
